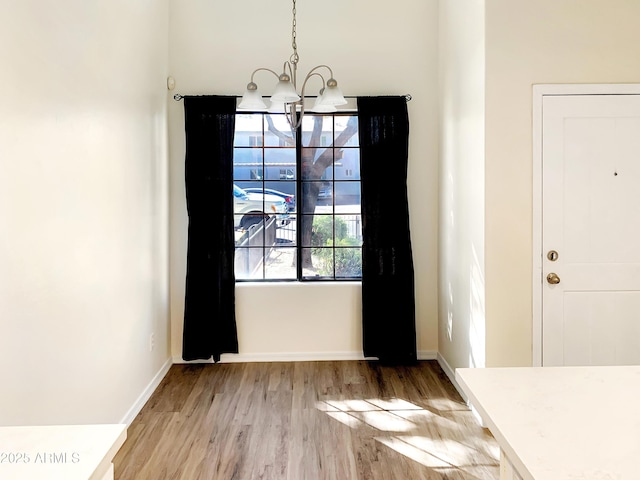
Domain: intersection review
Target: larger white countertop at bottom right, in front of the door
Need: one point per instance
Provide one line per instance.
(561, 423)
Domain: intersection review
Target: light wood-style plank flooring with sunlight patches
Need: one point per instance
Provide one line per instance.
(343, 420)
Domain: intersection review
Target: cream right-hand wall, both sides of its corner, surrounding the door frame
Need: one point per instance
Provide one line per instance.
(496, 50)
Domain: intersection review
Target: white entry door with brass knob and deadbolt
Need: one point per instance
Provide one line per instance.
(591, 220)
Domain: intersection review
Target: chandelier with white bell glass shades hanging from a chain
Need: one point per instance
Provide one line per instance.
(285, 97)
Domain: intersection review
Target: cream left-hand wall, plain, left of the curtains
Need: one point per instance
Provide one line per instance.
(83, 207)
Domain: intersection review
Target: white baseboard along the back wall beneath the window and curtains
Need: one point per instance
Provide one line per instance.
(296, 357)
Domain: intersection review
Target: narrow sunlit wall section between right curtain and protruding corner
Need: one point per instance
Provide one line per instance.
(461, 326)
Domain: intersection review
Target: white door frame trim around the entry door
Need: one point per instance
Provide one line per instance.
(539, 92)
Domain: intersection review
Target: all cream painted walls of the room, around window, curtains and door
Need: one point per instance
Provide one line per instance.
(84, 176)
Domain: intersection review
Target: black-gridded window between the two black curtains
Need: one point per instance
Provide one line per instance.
(301, 219)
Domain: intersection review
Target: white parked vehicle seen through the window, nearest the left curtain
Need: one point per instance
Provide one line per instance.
(250, 208)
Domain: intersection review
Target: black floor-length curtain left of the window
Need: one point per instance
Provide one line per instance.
(209, 311)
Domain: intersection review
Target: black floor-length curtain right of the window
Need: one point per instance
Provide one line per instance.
(388, 293)
